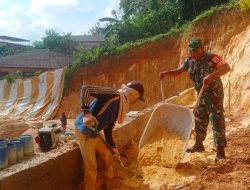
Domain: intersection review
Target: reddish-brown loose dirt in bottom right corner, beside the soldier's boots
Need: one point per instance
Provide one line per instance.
(234, 172)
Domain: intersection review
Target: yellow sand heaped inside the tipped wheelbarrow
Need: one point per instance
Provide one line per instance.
(164, 149)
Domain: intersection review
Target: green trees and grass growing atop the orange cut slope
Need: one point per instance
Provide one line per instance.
(144, 21)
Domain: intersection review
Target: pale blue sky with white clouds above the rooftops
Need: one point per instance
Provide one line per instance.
(29, 19)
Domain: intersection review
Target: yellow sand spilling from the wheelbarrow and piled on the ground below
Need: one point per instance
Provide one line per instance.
(154, 166)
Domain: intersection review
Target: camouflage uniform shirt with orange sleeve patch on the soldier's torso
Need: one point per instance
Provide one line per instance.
(198, 69)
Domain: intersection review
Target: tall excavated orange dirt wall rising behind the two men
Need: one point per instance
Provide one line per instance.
(224, 32)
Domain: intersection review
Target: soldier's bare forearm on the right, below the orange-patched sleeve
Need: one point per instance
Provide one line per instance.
(220, 71)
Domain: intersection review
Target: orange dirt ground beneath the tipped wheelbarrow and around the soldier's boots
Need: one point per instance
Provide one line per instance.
(197, 171)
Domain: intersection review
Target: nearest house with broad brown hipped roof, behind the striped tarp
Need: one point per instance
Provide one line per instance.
(36, 60)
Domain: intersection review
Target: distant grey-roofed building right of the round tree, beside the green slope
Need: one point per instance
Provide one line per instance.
(87, 41)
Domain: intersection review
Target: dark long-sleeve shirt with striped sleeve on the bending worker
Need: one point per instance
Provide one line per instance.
(107, 118)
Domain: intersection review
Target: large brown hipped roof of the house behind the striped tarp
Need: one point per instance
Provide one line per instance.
(36, 58)
